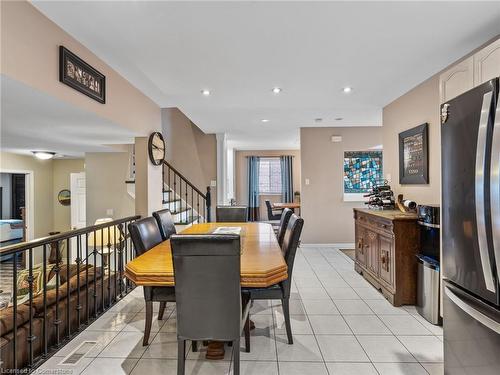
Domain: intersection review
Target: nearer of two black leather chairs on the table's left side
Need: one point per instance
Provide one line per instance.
(145, 235)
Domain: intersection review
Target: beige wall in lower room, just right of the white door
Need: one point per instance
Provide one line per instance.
(106, 173)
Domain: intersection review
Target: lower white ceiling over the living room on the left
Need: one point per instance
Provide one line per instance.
(34, 121)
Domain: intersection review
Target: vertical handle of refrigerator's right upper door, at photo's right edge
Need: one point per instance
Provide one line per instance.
(495, 187)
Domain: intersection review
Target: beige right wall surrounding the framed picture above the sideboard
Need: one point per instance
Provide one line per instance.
(416, 107)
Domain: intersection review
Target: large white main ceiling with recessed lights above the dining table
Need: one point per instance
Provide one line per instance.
(241, 50)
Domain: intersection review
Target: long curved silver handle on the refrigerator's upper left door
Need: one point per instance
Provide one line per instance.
(479, 192)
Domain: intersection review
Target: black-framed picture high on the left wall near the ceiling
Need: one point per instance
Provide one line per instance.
(79, 75)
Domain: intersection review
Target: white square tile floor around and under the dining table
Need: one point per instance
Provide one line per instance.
(341, 325)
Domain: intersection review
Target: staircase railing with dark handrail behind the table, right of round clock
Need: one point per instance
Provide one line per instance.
(184, 199)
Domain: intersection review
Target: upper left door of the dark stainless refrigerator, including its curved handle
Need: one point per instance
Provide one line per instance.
(466, 236)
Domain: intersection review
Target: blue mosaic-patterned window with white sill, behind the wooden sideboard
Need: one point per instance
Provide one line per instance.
(362, 171)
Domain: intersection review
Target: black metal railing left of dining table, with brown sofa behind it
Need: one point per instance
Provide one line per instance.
(66, 282)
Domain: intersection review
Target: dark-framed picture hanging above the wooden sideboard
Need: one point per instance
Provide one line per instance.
(414, 156)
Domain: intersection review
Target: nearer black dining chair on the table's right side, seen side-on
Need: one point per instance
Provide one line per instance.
(281, 291)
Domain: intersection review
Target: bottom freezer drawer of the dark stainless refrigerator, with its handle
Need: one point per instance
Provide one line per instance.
(471, 335)
